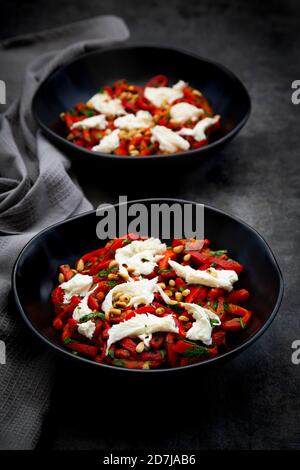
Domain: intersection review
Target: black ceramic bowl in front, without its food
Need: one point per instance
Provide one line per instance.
(35, 275)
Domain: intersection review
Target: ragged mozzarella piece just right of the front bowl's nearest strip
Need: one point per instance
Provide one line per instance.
(201, 329)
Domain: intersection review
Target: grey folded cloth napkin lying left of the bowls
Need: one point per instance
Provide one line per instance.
(35, 191)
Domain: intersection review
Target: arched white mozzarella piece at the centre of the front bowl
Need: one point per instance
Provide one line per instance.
(141, 292)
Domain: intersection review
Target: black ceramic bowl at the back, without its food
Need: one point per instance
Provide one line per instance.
(79, 79)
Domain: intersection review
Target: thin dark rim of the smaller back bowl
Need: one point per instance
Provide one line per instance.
(95, 155)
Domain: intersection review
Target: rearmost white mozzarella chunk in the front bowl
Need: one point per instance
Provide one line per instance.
(141, 255)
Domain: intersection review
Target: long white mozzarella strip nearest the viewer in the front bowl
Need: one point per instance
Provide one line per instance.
(141, 324)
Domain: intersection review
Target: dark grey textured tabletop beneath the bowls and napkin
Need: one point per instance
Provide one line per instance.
(252, 402)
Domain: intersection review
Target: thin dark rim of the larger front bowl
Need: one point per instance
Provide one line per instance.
(65, 353)
